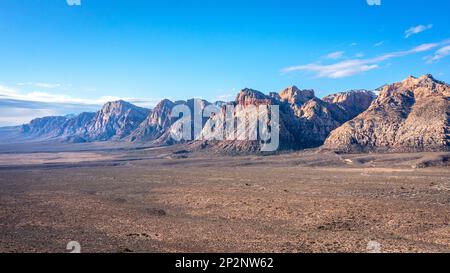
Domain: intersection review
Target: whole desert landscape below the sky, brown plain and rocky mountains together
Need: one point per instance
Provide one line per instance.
(352, 168)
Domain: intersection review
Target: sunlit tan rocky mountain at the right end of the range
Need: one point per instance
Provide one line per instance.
(412, 115)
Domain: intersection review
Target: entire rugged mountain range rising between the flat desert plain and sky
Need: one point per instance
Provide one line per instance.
(409, 115)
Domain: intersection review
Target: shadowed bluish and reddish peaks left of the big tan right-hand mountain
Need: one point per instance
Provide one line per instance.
(305, 121)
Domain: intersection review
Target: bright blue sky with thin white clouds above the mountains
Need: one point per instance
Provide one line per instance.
(58, 59)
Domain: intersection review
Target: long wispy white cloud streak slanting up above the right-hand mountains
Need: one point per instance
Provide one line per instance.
(349, 68)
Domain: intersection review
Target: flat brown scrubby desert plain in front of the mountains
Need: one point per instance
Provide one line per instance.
(140, 199)
